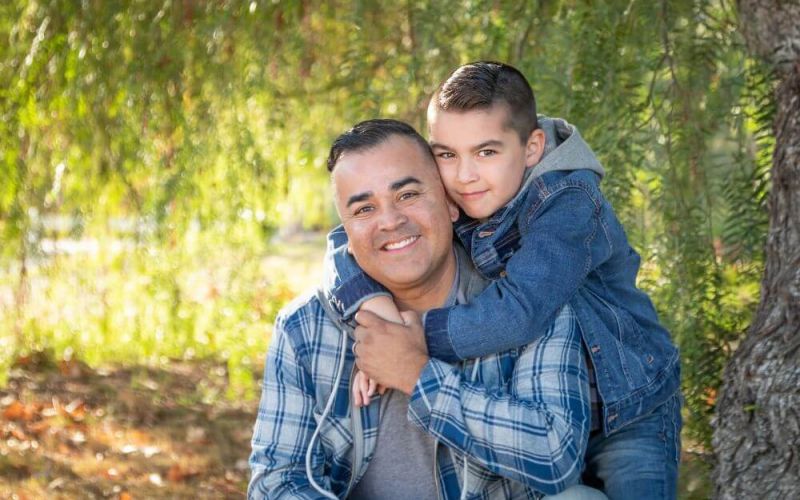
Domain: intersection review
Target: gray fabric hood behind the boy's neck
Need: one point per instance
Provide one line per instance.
(564, 150)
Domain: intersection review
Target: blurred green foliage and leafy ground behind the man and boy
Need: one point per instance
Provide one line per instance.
(163, 193)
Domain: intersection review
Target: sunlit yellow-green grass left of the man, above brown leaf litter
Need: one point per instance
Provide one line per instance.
(207, 298)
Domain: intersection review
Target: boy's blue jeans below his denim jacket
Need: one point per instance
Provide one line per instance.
(640, 460)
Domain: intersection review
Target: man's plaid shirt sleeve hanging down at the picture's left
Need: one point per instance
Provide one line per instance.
(285, 423)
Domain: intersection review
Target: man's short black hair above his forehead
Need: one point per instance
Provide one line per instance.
(371, 133)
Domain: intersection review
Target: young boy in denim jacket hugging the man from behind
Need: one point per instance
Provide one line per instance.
(534, 220)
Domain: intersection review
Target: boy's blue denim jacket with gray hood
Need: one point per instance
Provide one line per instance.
(557, 242)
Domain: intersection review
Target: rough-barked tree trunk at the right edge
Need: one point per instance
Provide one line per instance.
(757, 426)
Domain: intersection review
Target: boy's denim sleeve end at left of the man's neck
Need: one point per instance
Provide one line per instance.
(346, 286)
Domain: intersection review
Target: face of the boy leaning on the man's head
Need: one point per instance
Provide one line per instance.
(480, 158)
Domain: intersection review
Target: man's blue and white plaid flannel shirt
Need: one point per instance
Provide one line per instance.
(522, 417)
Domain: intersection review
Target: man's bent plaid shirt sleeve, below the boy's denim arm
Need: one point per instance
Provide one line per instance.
(534, 429)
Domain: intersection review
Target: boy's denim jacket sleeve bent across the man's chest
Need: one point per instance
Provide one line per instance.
(561, 240)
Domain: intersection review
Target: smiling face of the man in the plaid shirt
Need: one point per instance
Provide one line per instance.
(395, 212)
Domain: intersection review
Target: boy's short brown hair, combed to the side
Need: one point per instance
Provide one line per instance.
(481, 85)
